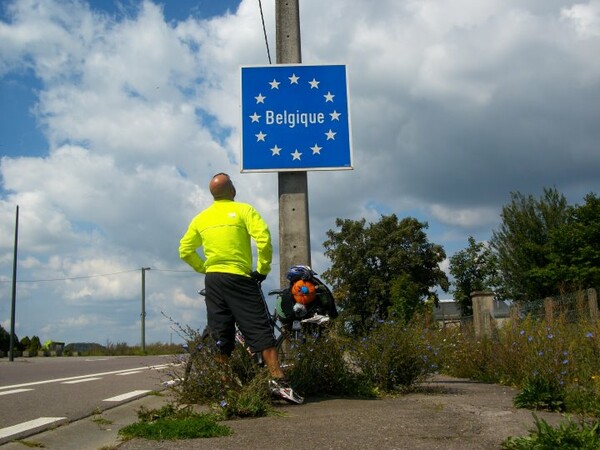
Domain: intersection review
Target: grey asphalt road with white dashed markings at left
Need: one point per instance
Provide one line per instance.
(46, 391)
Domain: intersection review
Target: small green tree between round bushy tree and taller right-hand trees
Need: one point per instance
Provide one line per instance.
(474, 269)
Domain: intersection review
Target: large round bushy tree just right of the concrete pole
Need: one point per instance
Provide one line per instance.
(382, 269)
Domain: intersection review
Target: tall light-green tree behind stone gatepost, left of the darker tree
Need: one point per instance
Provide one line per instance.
(522, 242)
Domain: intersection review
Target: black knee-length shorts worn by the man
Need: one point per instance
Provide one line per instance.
(235, 298)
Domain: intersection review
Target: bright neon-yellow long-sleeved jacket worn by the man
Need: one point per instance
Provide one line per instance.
(224, 230)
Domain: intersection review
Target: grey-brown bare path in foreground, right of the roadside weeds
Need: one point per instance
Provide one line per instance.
(447, 414)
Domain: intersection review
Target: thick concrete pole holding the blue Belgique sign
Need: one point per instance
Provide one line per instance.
(294, 229)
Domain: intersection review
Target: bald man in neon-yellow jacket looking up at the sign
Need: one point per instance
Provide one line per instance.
(224, 230)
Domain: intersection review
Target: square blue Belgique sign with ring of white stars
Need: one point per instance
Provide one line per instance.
(295, 117)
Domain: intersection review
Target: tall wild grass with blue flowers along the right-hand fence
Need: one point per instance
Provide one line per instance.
(556, 364)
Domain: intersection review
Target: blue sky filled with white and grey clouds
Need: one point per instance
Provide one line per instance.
(114, 115)
